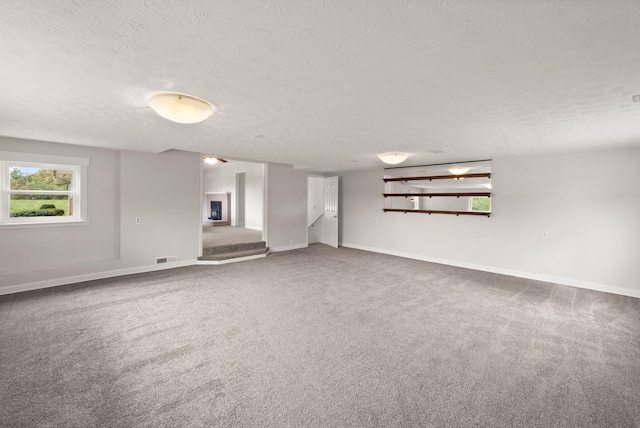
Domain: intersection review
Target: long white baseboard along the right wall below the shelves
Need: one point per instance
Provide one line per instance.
(520, 274)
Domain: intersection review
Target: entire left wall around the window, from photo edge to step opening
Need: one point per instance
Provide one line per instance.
(162, 189)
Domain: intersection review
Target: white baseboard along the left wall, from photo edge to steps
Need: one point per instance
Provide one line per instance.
(92, 276)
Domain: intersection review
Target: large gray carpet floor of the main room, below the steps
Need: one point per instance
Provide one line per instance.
(319, 337)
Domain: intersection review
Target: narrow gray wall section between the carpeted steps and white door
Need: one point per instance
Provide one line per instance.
(286, 207)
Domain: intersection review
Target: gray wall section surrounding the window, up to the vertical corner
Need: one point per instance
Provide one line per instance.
(32, 254)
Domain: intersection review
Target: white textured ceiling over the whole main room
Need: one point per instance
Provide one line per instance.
(326, 85)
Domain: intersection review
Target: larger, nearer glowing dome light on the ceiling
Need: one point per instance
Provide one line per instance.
(181, 108)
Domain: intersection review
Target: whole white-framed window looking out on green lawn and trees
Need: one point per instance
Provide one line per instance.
(41, 192)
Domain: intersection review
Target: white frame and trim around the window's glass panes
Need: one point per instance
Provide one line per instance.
(77, 191)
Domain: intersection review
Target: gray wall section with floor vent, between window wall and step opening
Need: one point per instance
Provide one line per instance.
(164, 191)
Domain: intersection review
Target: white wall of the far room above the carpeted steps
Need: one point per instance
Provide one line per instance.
(221, 178)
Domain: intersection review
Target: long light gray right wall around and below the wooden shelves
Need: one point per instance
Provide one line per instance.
(587, 202)
